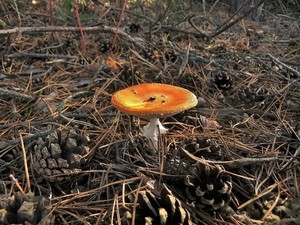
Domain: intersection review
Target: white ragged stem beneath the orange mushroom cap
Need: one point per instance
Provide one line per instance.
(153, 130)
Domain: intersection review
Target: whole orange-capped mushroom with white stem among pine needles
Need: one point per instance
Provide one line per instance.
(153, 101)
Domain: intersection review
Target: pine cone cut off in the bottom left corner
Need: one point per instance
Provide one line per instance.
(29, 208)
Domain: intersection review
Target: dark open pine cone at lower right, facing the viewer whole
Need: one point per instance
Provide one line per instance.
(209, 187)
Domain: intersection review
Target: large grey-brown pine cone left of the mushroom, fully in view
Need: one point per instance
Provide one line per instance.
(57, 155)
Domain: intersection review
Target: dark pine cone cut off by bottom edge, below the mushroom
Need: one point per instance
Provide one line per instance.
(166, 210)
